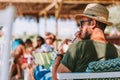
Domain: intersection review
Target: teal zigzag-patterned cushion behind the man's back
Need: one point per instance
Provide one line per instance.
(104, 66)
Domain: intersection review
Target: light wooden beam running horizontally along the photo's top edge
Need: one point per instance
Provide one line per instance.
(65, 1)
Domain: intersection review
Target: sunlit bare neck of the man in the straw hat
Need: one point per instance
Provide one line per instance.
(98, 35)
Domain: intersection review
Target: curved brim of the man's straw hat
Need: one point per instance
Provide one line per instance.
(78, 16)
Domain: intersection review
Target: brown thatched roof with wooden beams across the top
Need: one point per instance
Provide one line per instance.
(67, 8)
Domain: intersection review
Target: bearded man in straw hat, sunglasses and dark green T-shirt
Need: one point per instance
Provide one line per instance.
(93, 46)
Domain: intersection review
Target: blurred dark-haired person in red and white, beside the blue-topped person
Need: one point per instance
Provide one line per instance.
(28, 59)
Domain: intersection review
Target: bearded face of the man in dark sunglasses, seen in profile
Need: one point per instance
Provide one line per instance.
(85, 28)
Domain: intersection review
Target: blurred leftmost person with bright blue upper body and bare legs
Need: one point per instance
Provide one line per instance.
(17, 55)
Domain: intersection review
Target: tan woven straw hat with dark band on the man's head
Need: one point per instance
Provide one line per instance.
(97, 12)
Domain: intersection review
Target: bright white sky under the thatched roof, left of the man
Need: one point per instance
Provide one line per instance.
(29, 26)
